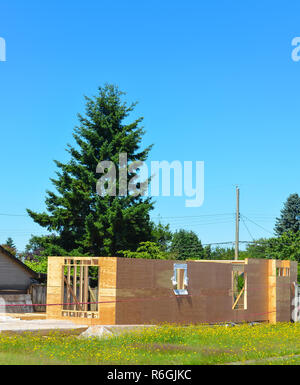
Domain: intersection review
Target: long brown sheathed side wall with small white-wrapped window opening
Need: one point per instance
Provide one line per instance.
(210, 292)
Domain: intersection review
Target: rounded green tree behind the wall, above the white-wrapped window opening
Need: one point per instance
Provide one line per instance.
(186, 245)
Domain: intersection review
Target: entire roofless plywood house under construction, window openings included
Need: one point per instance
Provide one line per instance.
(121, 291)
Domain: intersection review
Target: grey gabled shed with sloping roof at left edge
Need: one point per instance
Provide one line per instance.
(15, 276)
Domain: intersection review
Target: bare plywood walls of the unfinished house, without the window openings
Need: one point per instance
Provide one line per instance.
(139, 291)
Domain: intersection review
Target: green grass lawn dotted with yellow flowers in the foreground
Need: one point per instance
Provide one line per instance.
(166, 344)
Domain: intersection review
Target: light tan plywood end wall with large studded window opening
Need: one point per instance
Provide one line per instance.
(59, 275)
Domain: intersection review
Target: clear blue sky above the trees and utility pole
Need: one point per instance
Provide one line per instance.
(214, 80)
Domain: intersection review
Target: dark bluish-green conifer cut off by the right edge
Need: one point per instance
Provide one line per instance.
(290, 216)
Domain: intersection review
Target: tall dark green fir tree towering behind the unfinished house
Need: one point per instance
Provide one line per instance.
(82, 222)
